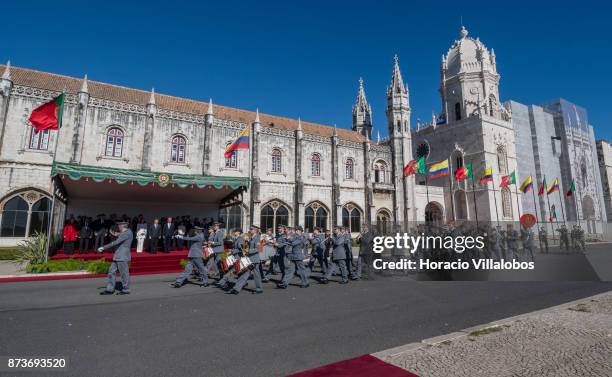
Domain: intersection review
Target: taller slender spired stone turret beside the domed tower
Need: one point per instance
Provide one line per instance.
(398, 117)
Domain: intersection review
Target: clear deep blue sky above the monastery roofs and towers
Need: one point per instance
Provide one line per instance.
(305, 58)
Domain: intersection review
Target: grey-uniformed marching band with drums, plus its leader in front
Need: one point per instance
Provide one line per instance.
(285, 253)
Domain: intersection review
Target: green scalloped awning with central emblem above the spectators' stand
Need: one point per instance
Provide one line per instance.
(122, 176)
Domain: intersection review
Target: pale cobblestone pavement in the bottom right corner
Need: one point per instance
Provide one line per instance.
(564, 341)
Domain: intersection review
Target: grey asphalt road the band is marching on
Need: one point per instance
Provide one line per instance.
(159, 331)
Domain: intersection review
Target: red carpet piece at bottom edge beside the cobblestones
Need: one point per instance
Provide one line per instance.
(361, 366)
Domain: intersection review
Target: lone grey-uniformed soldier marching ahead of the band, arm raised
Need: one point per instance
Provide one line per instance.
(121, 260)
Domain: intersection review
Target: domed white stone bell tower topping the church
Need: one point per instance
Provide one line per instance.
(469, 81)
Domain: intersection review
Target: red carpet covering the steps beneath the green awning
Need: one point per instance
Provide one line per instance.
(142, 263)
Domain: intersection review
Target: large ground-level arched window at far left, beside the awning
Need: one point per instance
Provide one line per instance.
(24, 214)
